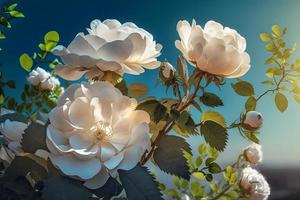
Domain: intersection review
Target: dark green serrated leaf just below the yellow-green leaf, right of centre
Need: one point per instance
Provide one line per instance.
(215, 134)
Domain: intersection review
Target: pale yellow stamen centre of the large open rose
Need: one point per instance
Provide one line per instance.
(101, 130)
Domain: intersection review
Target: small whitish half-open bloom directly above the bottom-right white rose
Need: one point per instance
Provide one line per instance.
(253, 153)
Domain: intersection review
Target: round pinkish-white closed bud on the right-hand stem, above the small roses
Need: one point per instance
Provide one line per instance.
(252, 121)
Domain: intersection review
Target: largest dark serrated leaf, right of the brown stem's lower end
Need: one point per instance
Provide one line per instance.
(169, 158)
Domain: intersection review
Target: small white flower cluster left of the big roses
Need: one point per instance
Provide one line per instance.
(43, 79)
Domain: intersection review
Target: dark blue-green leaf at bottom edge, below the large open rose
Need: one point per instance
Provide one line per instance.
(139, 184)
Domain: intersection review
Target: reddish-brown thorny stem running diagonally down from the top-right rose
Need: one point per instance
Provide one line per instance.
(168, 126)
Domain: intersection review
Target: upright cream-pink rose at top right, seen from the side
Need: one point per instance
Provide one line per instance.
(213, 49)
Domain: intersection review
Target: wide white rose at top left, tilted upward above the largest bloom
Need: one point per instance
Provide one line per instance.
(109, 46)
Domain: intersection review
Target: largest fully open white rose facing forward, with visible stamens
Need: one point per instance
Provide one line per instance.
(94, 131)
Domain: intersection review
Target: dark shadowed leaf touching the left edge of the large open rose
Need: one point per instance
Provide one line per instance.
(34, 138)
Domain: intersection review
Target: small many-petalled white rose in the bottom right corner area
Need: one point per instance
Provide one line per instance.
(254, 184)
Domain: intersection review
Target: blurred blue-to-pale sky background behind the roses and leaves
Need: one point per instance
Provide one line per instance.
(280, 135)
